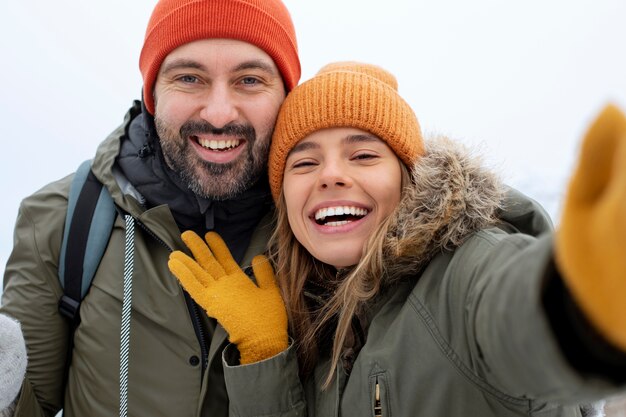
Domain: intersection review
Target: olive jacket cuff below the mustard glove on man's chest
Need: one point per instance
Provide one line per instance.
(269, 388)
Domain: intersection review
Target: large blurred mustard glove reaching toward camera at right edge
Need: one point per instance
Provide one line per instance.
(591, 241)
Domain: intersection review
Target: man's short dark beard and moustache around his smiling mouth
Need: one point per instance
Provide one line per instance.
(208, 179)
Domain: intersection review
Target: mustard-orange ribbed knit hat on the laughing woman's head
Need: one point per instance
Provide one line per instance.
(345, 94)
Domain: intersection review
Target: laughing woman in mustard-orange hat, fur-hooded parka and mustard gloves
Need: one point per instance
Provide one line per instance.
(414, 283)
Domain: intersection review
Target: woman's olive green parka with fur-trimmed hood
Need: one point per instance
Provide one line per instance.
(459, 328)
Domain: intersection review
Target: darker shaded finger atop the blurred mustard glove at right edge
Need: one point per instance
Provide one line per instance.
(597, 162)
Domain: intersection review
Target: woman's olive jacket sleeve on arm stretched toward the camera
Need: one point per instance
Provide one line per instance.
(508, 326)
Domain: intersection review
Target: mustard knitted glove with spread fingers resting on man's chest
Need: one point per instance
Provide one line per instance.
(254, 316)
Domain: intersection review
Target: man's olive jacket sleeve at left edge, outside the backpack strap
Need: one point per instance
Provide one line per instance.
(31, 294)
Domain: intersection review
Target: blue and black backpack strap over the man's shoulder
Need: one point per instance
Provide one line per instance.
(88, 225)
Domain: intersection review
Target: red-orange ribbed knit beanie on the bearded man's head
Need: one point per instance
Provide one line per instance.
(263, 23)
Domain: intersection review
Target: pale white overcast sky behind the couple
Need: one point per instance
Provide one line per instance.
(519, 79)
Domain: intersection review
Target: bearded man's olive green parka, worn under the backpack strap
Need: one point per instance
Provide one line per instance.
(166, 376)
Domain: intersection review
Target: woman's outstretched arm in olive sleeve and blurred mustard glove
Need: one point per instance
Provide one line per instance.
(547, 301)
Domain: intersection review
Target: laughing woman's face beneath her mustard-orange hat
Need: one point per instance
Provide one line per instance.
(339, 185)
